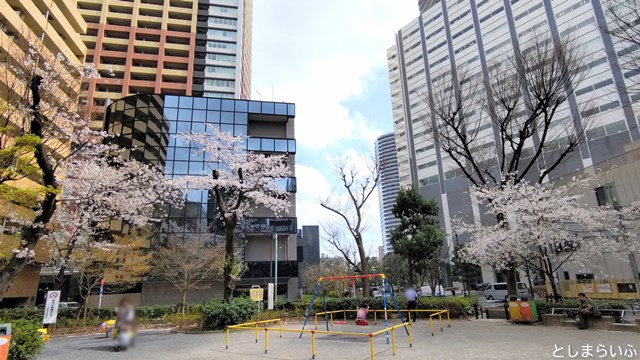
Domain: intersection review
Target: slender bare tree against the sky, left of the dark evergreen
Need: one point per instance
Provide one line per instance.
(359, 181)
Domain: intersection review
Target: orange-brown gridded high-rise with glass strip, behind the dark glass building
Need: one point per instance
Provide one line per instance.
(178, 47)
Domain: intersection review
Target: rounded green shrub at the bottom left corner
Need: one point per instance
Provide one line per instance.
(26, 343)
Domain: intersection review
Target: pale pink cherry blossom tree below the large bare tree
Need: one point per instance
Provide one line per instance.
(542, 225)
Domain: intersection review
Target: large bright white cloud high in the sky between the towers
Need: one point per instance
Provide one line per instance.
(317, 54)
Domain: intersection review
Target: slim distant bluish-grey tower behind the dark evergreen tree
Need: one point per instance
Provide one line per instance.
(388, 187)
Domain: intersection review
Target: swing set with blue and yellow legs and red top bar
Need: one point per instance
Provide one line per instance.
(362, 311)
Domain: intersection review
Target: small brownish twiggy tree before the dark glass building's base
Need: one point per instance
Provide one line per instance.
(188, 266)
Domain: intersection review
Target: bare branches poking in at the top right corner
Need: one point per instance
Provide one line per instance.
(624, 25)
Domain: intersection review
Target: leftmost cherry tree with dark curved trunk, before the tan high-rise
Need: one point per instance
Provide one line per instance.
(41, 127)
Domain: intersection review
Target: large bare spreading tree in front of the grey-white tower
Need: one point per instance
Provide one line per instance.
(521, 102)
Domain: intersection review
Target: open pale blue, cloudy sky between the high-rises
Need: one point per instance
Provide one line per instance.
(328, 57)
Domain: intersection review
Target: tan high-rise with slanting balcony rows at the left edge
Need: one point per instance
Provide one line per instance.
(49, 28)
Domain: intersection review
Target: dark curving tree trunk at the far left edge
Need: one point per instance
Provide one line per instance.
(31, 233)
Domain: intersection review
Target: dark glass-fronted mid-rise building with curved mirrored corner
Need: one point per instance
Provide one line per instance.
(148, 124)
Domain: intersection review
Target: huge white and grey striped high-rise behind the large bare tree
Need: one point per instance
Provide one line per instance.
(473, 35)
